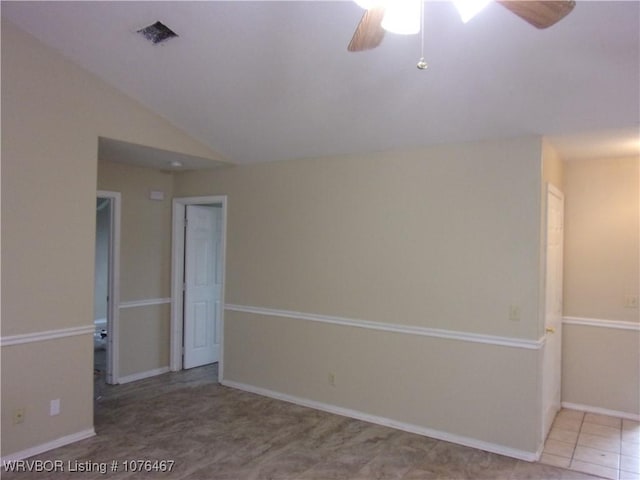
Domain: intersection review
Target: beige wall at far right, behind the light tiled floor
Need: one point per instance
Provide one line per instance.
(601, 364)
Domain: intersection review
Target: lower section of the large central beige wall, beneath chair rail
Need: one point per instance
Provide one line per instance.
(476, 392)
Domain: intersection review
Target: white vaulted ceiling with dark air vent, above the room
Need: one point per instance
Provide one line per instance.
(262, 81)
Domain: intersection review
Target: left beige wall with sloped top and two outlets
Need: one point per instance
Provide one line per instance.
(52, 115)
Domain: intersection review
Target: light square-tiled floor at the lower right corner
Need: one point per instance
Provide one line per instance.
(601, 445)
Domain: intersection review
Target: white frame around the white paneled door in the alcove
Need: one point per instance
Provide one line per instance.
(177, 277)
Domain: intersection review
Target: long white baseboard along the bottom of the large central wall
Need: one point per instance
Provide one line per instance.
(388, 422)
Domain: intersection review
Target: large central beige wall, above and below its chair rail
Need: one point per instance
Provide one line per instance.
(446, 238)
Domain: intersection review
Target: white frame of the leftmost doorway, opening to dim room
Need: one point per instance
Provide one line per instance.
(113, 289)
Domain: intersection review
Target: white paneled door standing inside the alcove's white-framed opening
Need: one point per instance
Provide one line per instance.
(203, 285)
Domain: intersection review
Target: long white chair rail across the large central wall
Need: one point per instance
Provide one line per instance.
(395, 328)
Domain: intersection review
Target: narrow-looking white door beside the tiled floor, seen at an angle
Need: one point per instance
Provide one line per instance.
(552, 380)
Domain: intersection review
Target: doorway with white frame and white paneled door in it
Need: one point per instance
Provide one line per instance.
(197, 285)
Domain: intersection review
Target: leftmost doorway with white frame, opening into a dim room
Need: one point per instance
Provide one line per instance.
(106, 287)
